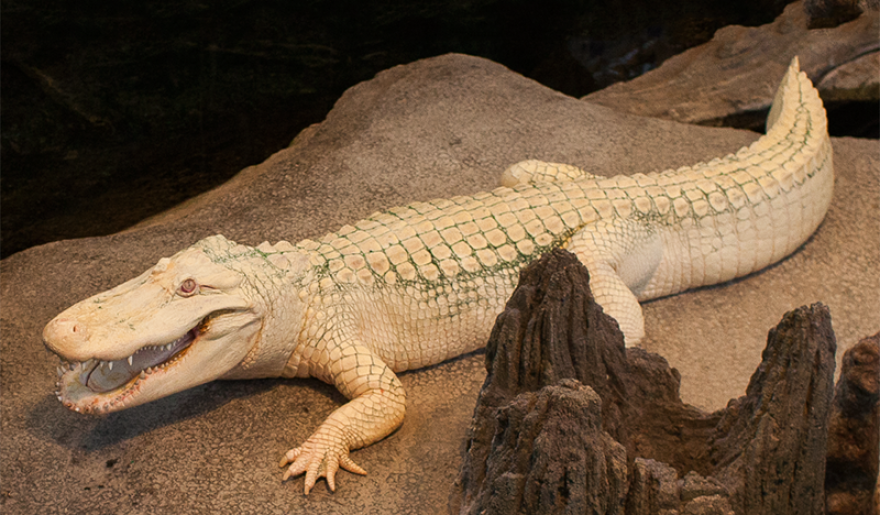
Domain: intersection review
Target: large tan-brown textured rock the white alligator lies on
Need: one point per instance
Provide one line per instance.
(435, 128)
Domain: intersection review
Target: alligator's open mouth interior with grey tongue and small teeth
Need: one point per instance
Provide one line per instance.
(101, 377)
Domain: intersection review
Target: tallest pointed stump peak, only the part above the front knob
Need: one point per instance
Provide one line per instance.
(553, 329)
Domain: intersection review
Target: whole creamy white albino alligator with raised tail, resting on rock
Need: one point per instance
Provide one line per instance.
(416, 285)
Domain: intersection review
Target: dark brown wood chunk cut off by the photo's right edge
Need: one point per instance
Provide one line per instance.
(854, 433)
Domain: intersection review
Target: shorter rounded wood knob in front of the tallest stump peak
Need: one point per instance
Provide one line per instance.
(550, 455)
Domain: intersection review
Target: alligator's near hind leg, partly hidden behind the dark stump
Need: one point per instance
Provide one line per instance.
(622, 257)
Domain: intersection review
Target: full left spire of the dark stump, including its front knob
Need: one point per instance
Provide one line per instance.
(552, 332)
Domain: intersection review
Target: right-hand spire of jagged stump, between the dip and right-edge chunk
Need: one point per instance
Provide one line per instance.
(770, 445)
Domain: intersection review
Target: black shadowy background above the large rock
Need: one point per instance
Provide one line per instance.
(113, 111)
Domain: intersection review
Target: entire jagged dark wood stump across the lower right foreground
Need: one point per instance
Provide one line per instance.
(570, 421)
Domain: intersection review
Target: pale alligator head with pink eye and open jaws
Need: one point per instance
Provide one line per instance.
(188, 320)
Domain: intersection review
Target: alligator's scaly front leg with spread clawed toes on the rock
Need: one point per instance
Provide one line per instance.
(377, 407)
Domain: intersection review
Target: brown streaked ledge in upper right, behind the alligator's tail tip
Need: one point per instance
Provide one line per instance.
(731, 79)
